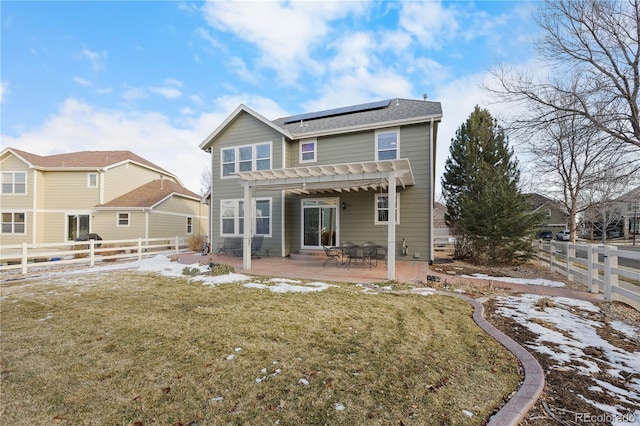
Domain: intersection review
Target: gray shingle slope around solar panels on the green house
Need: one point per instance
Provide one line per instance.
(398, 110)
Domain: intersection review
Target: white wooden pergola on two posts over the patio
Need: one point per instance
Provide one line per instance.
(358, 176)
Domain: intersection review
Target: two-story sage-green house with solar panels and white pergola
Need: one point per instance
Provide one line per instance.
(326, 177)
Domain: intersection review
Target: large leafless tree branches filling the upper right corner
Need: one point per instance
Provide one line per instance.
(591, 51)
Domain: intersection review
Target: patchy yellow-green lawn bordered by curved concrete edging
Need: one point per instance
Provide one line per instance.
(120, 348)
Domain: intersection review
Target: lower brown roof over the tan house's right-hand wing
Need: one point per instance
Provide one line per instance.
(149, 195)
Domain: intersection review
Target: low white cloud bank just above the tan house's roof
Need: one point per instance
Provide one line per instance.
(80, 126)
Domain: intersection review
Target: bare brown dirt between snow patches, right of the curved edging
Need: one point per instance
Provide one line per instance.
(559, 403)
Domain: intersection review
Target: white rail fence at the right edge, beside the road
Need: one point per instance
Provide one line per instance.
(613, 271)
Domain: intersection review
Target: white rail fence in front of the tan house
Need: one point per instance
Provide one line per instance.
(25, 256)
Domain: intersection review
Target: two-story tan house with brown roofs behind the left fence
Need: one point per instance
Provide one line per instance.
(115, 194)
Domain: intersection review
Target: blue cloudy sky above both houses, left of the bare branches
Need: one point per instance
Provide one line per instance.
(156, 77)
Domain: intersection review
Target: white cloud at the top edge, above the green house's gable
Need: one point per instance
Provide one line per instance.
(286, 33)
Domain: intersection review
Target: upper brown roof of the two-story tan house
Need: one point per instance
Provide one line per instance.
(84, 160)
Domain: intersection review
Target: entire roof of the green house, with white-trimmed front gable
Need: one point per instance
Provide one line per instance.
(394, 112)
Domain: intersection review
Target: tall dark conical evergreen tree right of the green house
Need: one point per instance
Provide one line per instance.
(485, 208)
